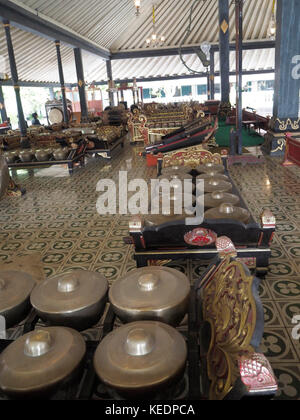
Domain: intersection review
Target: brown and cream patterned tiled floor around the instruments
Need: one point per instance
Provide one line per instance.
(57, 219)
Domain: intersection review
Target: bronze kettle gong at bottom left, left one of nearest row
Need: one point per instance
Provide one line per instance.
(36, 364)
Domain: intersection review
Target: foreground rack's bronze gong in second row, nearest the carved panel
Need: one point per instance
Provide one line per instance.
(151, 293)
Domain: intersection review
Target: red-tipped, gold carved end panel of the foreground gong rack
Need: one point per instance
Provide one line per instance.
(229, 306)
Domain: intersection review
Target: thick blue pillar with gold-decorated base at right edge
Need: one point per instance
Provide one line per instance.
(287, 77)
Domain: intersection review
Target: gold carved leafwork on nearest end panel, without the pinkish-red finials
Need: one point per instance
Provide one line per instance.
(230, 309)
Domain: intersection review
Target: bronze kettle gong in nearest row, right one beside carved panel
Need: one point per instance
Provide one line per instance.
(140, 359)
